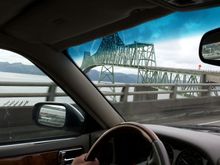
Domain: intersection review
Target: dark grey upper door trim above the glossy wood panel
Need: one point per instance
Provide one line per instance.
(44, 146)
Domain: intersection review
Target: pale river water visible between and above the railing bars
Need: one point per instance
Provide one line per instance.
(16, 77)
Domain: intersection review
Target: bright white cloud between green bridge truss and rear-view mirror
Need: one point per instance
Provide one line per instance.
(181, 53)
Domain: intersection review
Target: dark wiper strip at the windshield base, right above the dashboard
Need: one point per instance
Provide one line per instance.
(208, 128)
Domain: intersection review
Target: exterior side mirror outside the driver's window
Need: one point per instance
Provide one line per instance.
(57, 115)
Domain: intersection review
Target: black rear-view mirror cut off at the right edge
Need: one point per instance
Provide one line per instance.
(209, 49)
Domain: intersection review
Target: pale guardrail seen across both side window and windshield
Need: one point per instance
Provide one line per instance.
(114, 92)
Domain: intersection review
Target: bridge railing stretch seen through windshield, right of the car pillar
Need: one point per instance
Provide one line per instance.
(146, 92)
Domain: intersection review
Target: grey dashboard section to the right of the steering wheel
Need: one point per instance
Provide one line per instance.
(188, 147)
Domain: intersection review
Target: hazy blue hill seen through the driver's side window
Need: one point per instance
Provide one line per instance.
(19, 68)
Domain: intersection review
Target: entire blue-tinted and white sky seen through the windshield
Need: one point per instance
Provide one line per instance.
(176, 38)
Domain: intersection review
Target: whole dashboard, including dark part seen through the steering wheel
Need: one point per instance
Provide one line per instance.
(184, 147)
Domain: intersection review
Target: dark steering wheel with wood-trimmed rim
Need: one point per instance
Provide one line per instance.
(158, 152)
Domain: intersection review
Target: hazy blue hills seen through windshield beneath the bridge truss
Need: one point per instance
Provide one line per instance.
(119, 77)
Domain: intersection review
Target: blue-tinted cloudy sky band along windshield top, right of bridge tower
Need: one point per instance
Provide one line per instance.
(176, 25)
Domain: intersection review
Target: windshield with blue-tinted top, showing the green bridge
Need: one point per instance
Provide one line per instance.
(152, 73)
